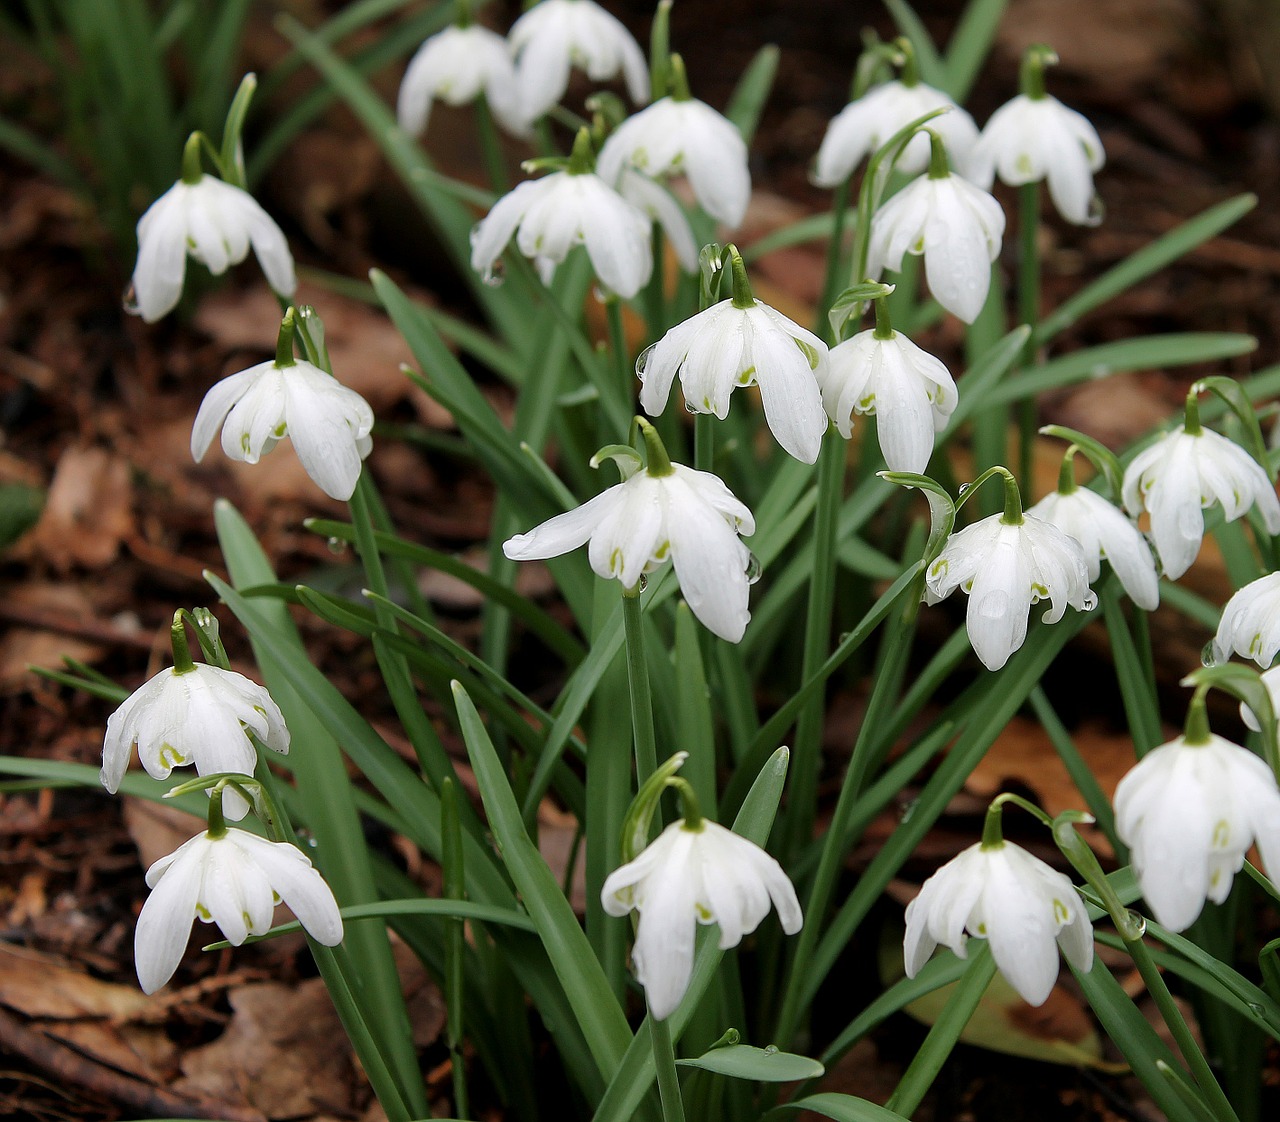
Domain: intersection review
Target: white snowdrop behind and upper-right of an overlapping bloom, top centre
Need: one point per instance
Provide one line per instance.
(682, 135)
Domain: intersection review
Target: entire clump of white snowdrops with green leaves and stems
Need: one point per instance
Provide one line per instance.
(565, 699)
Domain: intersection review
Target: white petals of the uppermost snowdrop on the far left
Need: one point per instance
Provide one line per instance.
(213, 222)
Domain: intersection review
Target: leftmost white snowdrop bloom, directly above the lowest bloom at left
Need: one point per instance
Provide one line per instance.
(204, 717)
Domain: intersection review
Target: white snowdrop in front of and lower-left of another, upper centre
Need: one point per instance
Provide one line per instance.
(573, 208)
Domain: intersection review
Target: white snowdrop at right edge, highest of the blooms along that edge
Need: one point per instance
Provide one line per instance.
(1182, 474)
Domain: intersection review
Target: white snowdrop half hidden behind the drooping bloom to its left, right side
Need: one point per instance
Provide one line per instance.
(1104, 532)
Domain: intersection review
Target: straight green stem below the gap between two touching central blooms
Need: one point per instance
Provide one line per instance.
(807, 753)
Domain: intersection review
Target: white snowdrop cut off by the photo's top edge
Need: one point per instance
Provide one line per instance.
(556, 35)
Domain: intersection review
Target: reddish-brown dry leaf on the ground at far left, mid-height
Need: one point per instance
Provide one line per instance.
(89, 511)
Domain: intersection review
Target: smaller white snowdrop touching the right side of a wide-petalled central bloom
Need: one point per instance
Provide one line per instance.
(885, 374)
